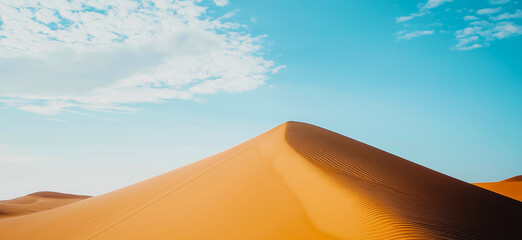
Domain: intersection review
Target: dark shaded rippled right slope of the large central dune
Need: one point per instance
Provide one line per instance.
(417, 199)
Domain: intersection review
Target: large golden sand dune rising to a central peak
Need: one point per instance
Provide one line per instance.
(296, 181)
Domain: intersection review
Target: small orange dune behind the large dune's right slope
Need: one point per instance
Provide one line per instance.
(511, 187)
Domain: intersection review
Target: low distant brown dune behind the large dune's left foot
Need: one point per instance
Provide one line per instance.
(36, 202)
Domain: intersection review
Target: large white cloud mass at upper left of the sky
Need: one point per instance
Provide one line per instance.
(103, 56)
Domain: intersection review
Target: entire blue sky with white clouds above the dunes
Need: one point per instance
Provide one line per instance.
(96, 95)
